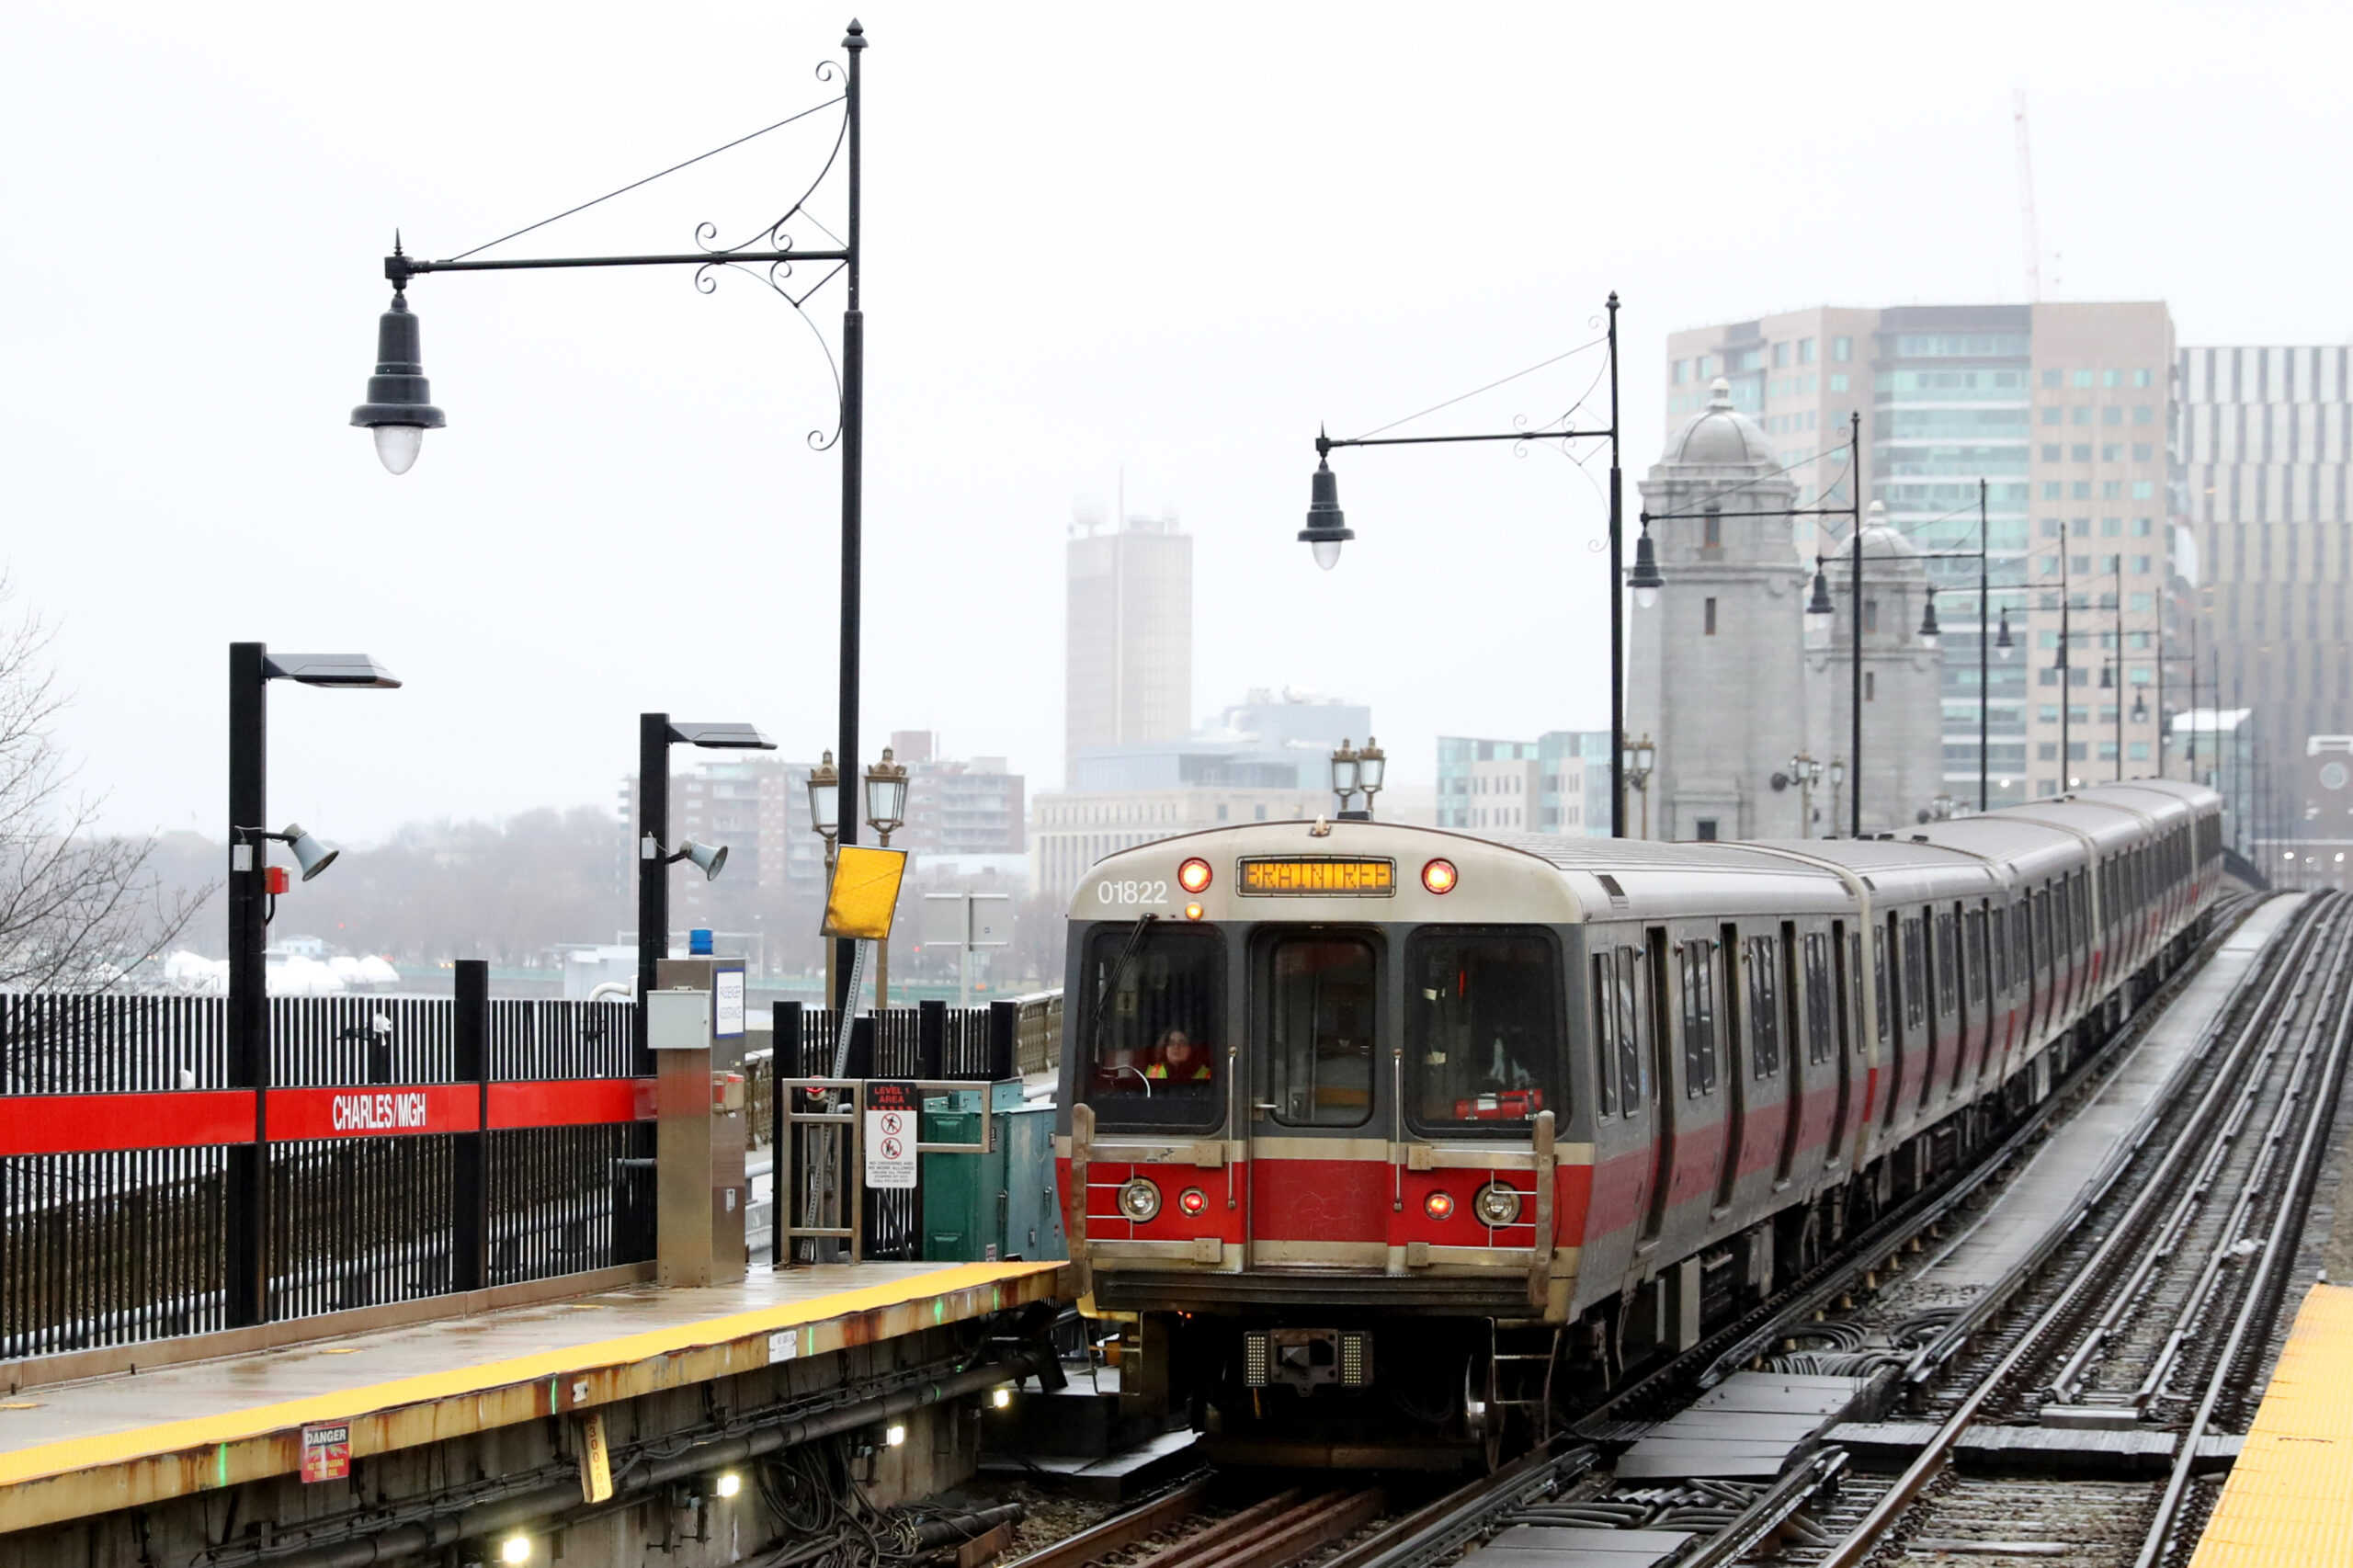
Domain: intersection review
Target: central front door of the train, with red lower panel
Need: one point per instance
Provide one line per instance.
(1319, 1162)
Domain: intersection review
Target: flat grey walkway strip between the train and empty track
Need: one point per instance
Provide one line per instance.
(2053, 1183)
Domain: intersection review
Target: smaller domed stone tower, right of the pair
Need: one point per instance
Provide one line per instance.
(1902, 684)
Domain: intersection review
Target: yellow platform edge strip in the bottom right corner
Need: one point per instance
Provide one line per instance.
(2288, 1496)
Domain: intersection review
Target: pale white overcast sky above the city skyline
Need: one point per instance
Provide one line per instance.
(1166, 237)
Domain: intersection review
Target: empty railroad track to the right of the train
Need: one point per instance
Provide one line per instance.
(2154, 1310)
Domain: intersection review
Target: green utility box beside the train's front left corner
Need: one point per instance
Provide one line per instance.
(1001, 1204)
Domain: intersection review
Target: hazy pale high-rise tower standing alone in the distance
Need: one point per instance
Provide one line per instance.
(1128, 672)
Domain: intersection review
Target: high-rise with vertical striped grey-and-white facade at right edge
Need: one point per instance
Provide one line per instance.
(2267, 444)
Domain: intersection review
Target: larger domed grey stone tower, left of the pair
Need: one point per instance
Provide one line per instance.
(1719, 665)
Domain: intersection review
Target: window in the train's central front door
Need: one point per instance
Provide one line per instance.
(1321, 1032)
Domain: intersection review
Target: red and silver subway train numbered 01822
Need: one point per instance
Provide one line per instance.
(1380, 1131)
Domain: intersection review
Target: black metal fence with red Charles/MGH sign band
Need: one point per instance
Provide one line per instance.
(119, 1136)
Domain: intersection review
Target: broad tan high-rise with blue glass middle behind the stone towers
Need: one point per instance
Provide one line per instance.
(2065, 411)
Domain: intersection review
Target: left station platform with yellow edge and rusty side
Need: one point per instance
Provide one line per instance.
(76, 1449)
